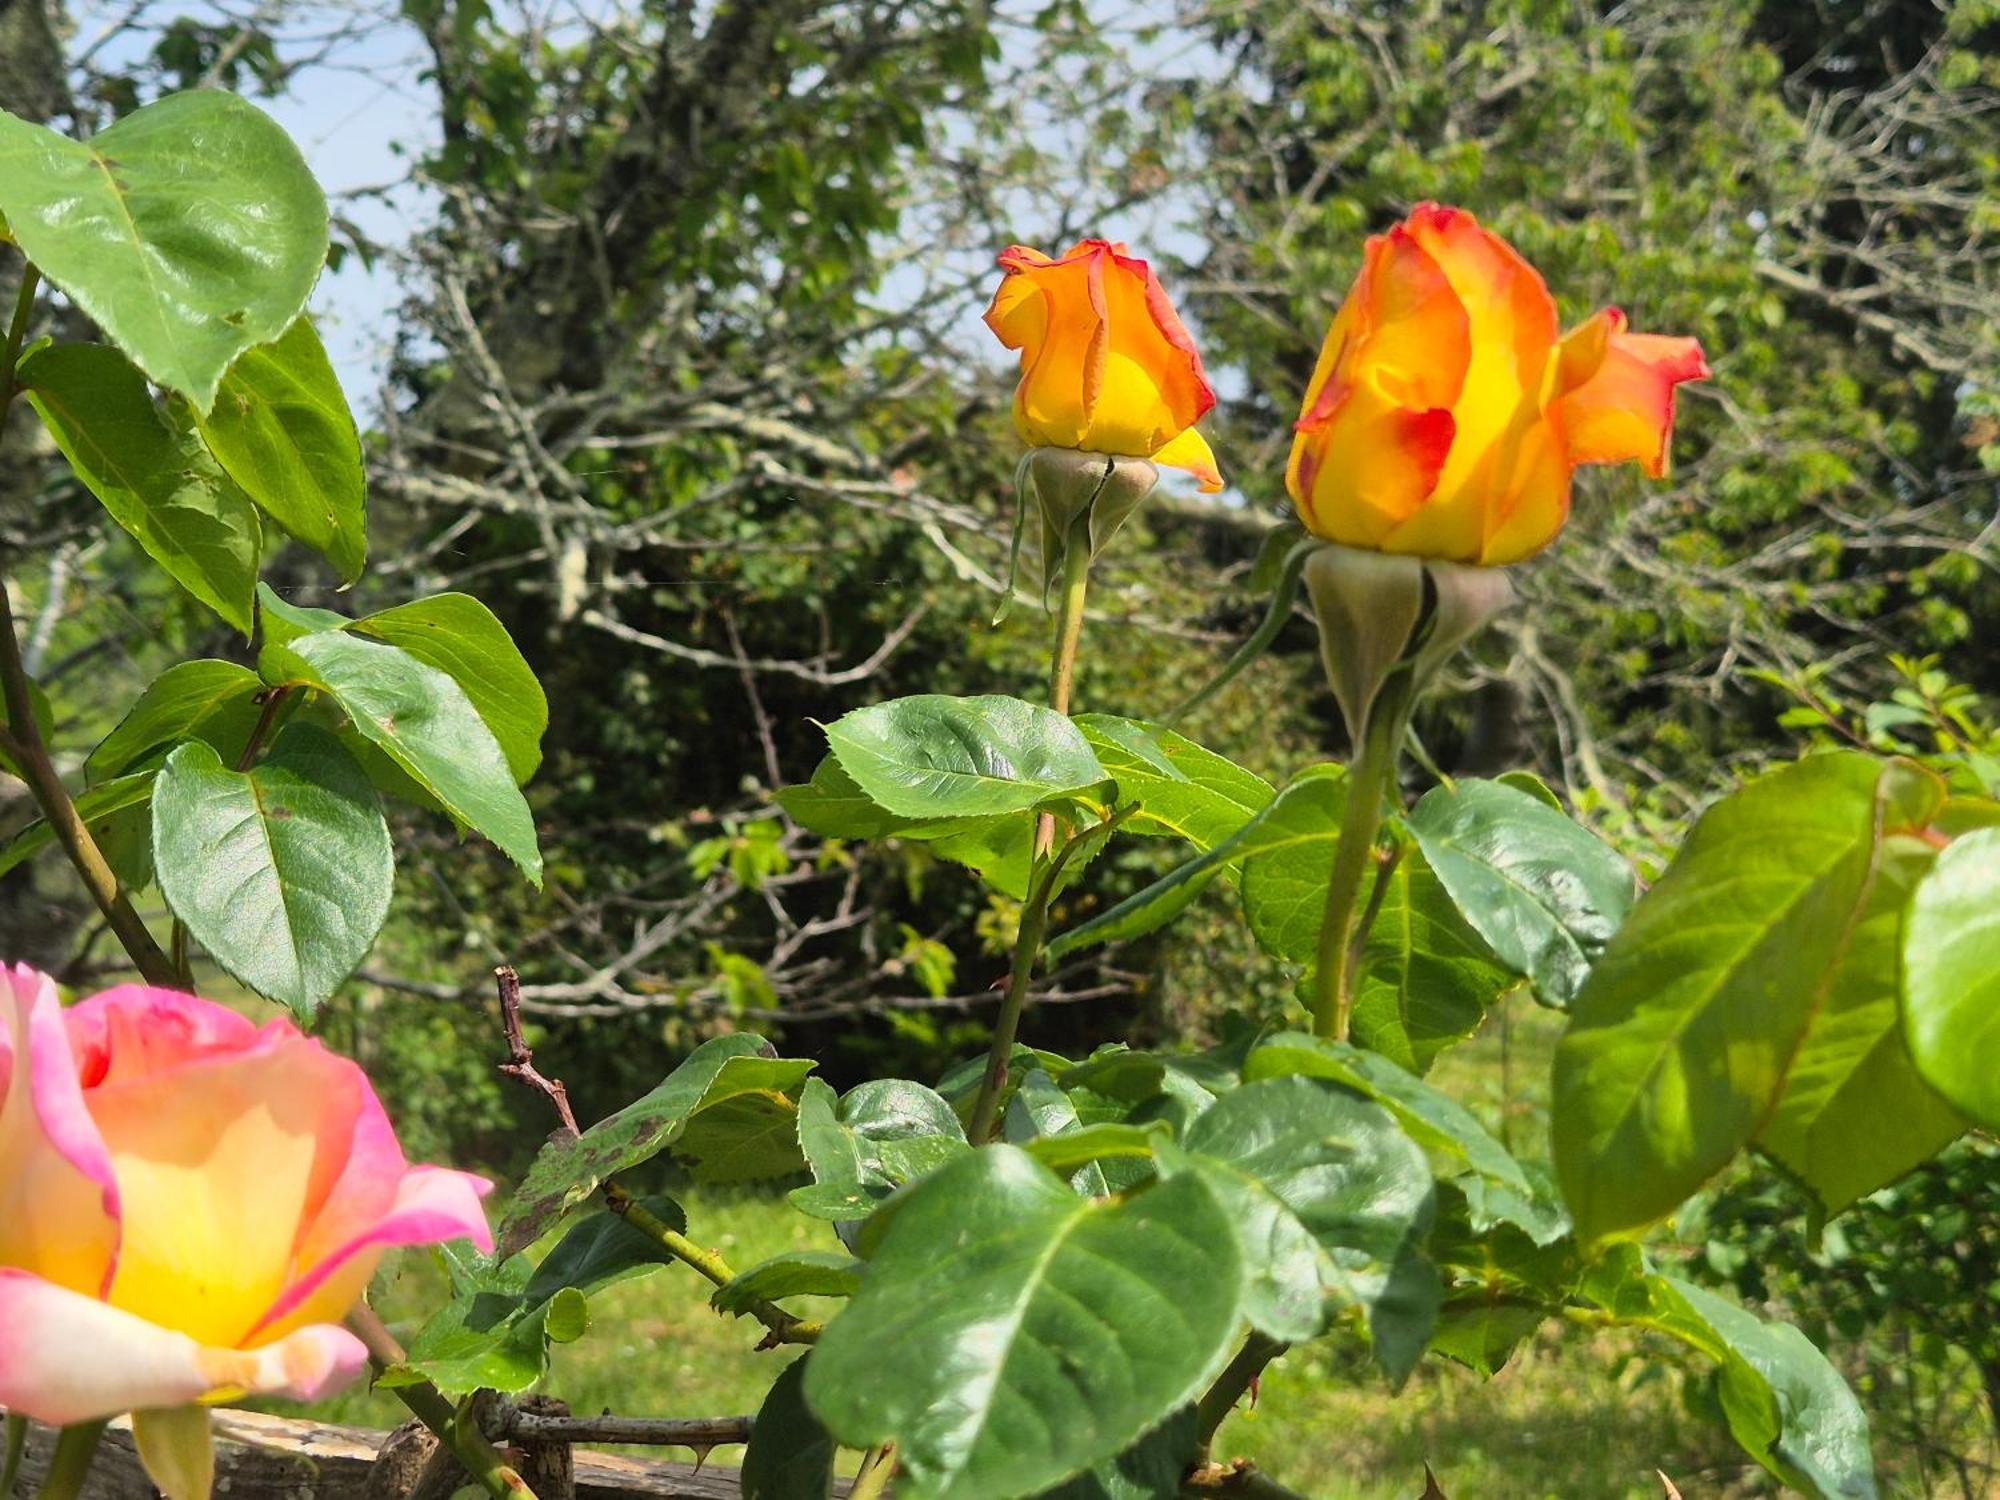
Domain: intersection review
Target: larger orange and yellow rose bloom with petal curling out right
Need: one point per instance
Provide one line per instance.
(1449, 411)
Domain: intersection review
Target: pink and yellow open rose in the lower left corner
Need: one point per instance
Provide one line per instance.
(189, 1205)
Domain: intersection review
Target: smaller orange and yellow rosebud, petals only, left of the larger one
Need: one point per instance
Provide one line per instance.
(1105, 363)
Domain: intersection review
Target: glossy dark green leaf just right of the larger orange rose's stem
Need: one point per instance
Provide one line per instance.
(1545, 893)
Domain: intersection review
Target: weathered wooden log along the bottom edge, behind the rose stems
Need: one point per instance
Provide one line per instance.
(287, 1459)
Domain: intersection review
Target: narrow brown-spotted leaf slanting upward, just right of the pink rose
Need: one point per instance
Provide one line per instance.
(569, 1171)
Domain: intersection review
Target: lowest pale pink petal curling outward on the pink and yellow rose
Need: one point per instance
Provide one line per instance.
(73, 1359)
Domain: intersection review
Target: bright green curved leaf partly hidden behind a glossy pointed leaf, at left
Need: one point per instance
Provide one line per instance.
(465, 641)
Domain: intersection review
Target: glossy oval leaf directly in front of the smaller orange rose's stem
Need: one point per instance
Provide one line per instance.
(935, 757)
